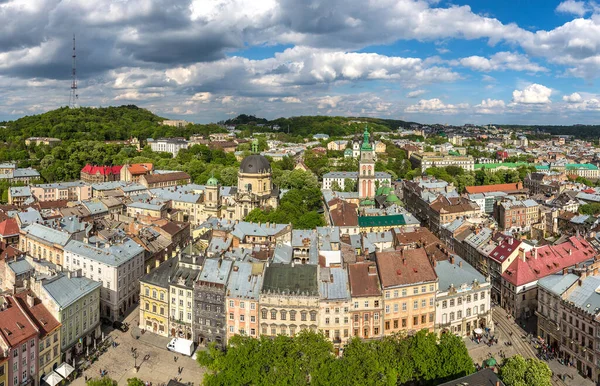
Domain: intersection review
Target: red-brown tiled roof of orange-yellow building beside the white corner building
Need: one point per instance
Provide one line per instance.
(404, 267)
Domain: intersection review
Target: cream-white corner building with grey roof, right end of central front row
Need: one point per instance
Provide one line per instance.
(463, 298)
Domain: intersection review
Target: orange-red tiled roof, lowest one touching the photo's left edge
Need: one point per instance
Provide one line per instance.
(15, 327)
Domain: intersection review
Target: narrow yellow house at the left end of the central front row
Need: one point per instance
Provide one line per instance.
(154, 300)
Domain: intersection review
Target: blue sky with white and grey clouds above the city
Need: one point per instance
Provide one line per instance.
(461, 61)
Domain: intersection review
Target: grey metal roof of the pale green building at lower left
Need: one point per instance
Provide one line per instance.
(66, 291)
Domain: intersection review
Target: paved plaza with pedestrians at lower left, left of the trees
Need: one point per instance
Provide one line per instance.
(158, 368)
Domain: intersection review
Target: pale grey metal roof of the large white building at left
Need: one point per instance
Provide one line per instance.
(115, 255)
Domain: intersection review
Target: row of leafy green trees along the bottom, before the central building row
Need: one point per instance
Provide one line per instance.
(308, 358)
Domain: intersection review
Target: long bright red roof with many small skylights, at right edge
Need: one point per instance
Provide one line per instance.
(547, 260)
